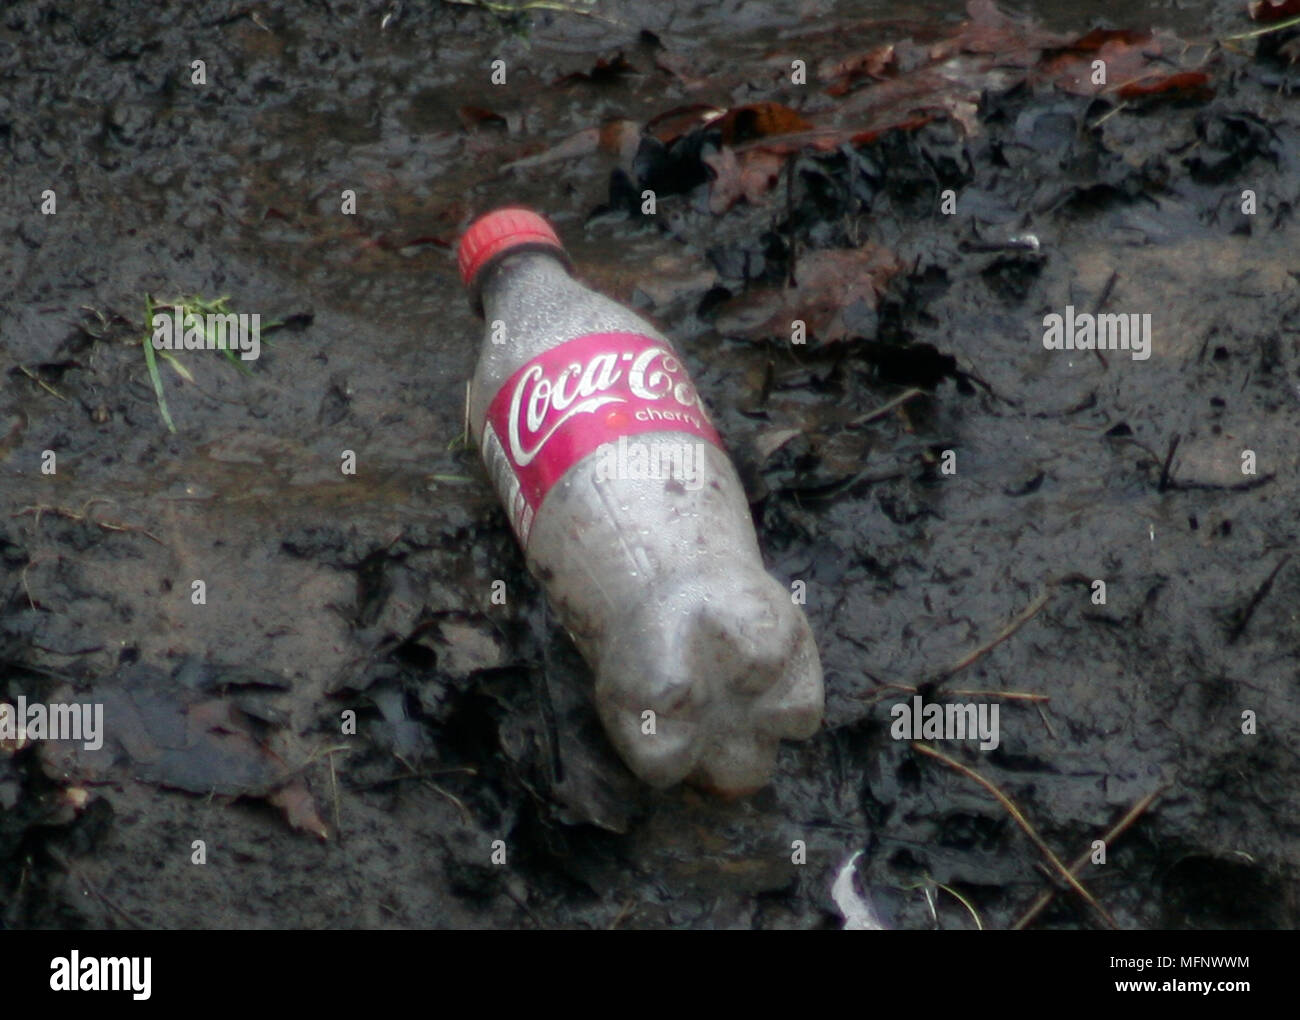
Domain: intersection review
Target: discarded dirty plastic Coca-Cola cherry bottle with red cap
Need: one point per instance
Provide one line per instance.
(634, 518)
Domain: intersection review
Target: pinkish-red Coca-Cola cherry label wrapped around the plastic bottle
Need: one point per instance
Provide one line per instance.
(575, 398)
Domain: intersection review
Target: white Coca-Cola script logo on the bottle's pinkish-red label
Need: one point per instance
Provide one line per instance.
(541, 405)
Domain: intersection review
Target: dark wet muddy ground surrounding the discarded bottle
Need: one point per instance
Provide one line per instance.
(328, 593)
